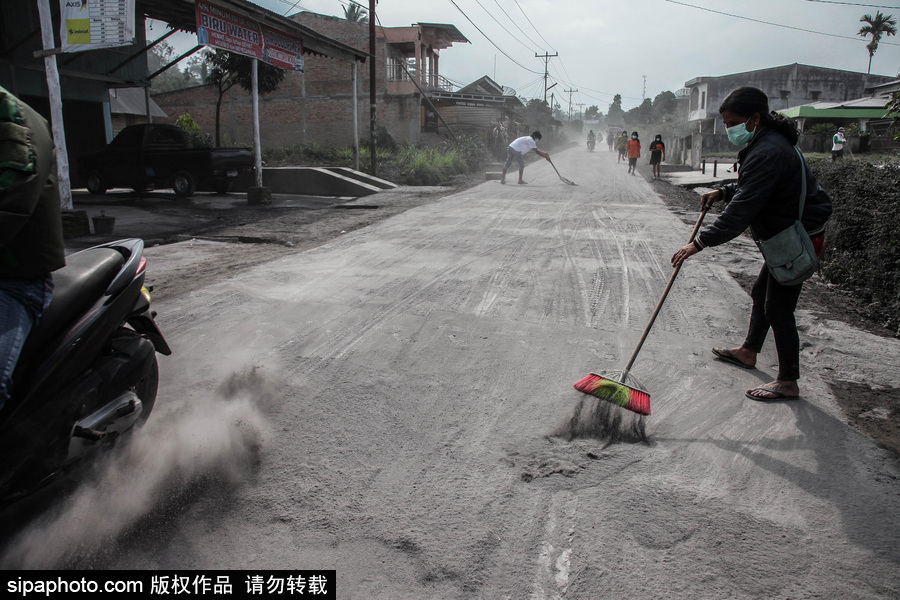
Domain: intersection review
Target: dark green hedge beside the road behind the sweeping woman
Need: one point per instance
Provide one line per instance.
(862, 240)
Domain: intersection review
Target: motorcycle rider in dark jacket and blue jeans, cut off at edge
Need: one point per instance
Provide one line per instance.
(31, 241)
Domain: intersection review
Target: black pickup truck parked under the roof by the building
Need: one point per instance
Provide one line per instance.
(155, 155)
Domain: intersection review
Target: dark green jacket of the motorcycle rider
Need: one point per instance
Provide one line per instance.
(31, 241)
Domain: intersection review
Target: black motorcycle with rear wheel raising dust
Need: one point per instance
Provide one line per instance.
(87, 374)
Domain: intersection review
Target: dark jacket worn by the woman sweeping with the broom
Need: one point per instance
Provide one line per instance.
(766, 196)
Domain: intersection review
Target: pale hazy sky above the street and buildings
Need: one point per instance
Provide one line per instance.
(636, 48)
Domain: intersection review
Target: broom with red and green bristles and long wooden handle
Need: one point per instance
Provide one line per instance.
(614, 387)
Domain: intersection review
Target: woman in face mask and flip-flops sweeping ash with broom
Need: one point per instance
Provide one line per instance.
(767, 197)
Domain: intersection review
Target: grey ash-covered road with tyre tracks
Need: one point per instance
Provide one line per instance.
(398, 405)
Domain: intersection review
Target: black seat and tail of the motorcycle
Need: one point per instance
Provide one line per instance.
(76, 287)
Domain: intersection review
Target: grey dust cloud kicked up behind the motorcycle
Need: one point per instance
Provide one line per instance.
(214, 436)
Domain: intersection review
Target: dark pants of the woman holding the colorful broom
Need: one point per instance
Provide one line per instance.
(773, 306)
